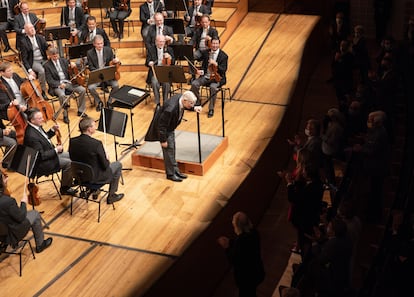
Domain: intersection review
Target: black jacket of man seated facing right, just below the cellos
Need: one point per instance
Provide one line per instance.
(47, 161)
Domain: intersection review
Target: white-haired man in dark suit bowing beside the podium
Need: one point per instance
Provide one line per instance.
(170, 117)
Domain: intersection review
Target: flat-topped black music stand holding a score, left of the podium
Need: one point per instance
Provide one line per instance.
(128, 97)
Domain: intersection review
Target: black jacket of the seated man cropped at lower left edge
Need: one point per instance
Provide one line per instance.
(15, 218)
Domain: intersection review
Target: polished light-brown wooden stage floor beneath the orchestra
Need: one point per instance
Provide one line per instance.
(157, 220)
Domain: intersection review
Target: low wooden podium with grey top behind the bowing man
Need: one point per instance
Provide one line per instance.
(212, 146)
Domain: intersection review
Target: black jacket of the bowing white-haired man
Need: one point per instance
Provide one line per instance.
(170, 117)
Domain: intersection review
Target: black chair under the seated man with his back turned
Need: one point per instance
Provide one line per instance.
(88, 190)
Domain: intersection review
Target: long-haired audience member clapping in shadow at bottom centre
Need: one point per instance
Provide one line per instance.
(244, 254)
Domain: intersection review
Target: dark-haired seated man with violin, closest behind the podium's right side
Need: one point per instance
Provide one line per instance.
(214, 59)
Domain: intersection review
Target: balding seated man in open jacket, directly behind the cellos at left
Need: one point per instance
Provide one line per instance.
(33, 51)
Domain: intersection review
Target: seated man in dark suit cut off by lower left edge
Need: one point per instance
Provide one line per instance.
(19, 220)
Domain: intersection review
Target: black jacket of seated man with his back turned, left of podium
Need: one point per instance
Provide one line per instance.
(89, 150)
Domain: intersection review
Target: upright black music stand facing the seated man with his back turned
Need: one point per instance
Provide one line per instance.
(113, 122)
